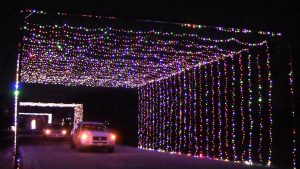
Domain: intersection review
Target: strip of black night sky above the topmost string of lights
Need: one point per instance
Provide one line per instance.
(267, 15)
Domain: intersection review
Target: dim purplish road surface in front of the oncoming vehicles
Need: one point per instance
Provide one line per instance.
(58, 155)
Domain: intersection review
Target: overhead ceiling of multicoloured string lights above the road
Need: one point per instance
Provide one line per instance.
(72, 54)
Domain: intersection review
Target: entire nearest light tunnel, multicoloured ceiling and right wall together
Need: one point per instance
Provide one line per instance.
(203, 91)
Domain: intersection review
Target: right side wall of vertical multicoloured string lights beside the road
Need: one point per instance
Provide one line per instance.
(218, 110)
